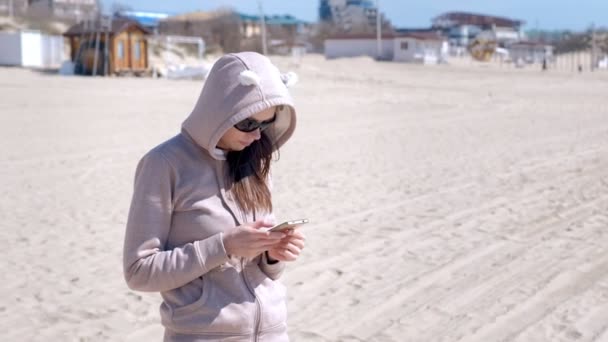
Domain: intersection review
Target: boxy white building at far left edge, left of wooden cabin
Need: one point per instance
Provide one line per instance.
(31, 49)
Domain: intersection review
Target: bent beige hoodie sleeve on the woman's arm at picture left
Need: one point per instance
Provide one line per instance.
(147, 266)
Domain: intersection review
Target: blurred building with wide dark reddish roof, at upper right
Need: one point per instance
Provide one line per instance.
(461, 28)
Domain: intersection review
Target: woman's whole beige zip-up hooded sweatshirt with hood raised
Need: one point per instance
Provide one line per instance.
(182, 206)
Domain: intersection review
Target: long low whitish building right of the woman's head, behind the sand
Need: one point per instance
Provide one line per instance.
(409, 47)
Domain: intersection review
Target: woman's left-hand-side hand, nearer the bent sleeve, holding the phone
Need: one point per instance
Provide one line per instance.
(249, 240)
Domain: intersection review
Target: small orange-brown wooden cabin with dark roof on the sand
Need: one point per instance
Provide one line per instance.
(127, 50)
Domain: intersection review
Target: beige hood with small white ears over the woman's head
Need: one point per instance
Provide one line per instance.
(238, 86)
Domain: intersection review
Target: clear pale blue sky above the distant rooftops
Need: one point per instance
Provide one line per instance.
(542, 14)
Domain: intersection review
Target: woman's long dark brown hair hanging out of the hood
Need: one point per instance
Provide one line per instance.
(248, 174)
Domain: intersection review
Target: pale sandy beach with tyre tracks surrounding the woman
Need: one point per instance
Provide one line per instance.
(447, 203)
